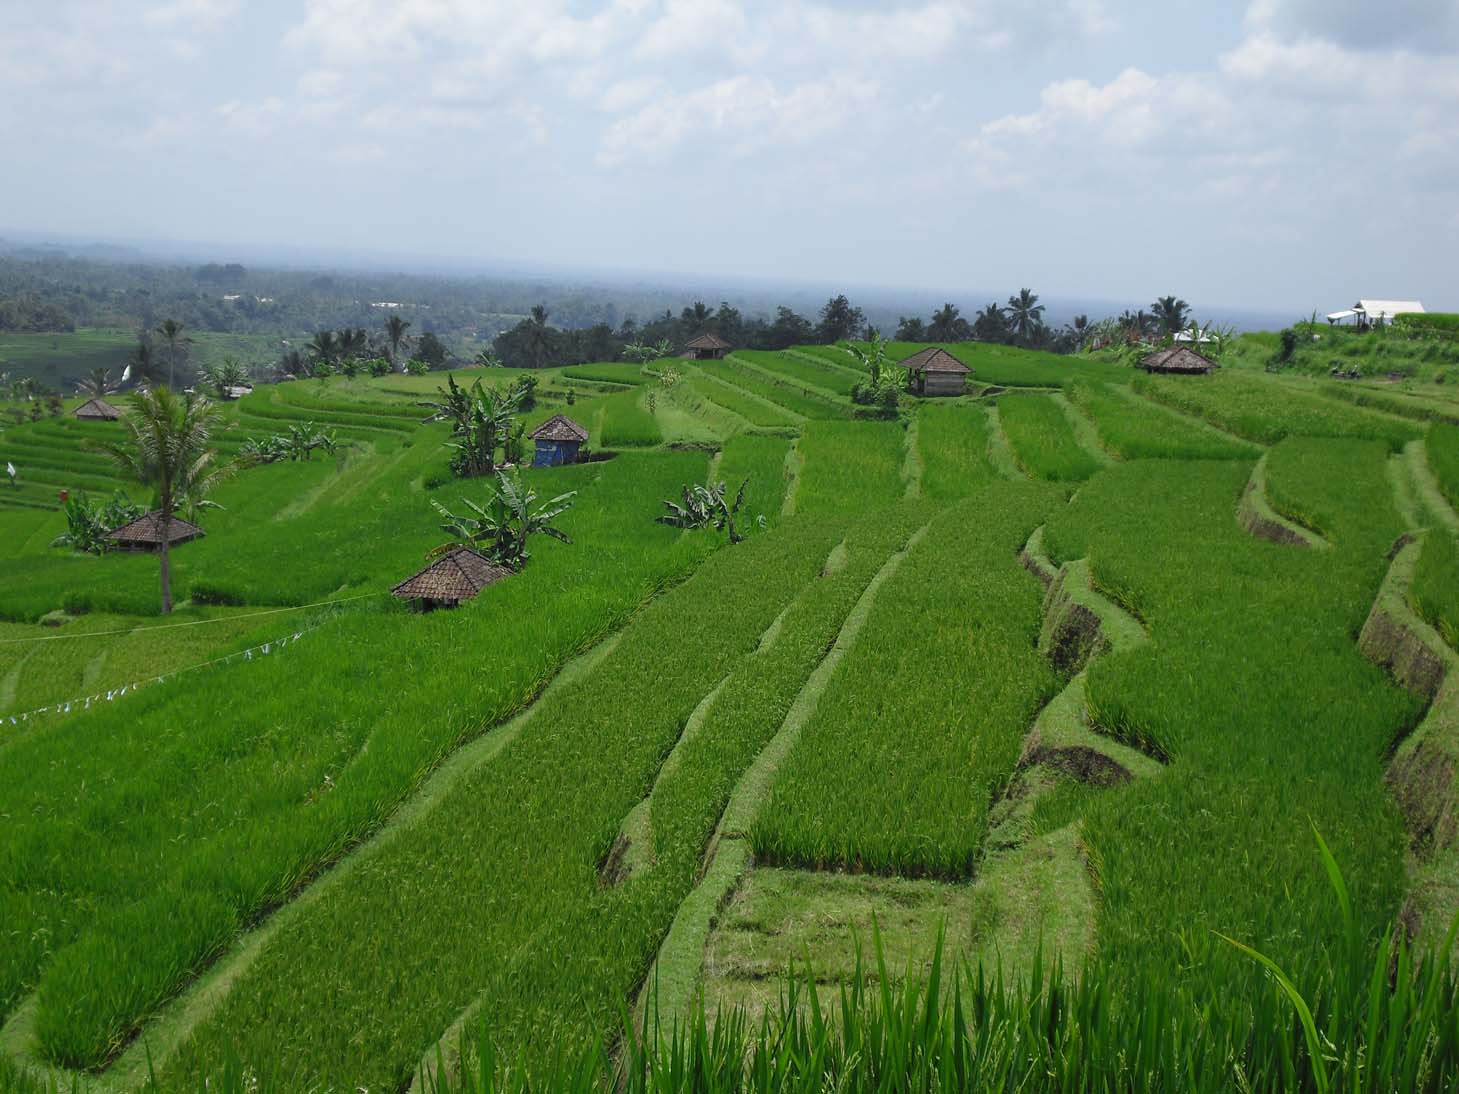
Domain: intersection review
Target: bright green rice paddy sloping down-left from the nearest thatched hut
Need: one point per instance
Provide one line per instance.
(298, 756)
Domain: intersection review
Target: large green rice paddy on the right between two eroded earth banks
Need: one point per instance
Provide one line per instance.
(1251, 654)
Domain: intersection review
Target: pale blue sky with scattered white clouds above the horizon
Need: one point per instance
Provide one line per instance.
(1276, 154)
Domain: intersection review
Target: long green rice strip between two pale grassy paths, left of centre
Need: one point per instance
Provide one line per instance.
(565, 949)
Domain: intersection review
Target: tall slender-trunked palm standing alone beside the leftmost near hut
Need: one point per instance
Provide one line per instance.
(167, 449)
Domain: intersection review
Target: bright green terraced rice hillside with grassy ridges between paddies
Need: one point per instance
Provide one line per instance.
(972, 765)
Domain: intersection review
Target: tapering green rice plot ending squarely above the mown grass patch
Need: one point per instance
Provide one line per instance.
(902, 783)
